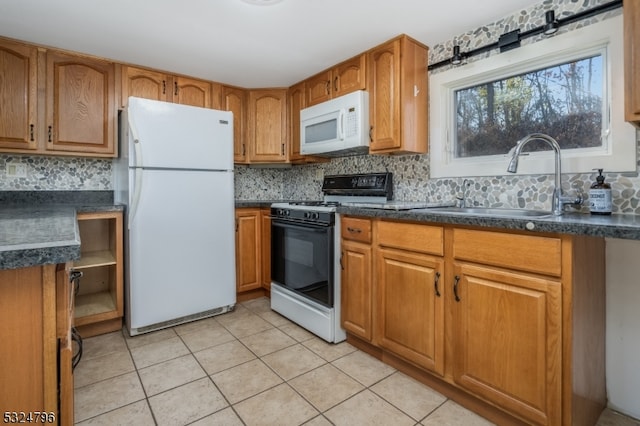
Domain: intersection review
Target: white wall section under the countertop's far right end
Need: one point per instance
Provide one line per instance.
(623, 326)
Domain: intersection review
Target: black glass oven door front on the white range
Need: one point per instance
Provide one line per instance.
(301, 260)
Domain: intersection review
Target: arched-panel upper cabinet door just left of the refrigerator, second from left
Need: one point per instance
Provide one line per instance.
(81, 113)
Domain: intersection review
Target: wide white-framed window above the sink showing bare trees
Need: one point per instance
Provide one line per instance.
(569, 86)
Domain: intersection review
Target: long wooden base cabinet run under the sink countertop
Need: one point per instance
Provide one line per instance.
(510, 324)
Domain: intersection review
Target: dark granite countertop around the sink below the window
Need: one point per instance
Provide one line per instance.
(613, 226)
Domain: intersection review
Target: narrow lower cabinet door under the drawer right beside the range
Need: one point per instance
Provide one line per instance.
(356, 289)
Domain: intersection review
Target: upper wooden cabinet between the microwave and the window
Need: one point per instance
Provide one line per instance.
(398, 97)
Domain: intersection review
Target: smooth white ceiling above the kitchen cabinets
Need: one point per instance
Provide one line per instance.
(236, 43)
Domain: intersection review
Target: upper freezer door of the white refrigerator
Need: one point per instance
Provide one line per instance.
(166, 135)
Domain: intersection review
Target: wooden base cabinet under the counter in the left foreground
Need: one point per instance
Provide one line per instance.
(36, 351)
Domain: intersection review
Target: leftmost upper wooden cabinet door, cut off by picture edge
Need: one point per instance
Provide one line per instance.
(18, 96)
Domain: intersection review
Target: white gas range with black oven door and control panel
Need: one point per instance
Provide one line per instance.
(305, 250)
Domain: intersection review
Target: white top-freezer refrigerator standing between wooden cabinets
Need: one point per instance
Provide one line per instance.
(175, 175)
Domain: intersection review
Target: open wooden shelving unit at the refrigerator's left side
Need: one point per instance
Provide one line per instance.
(99, 299)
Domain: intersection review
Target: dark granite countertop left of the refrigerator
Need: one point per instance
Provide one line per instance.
(38, 228)
